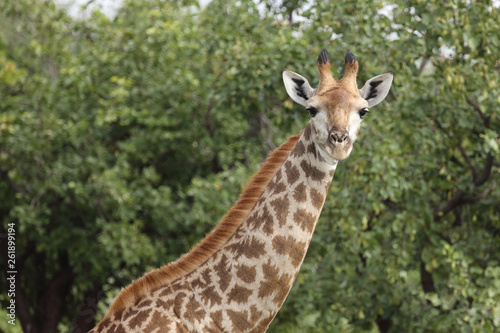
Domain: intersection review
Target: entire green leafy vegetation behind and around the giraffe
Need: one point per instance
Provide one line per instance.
(124, 139)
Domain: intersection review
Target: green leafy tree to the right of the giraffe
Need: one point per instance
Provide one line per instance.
(409, 238)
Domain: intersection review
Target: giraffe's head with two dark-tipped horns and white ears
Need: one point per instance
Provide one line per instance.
(337, 108)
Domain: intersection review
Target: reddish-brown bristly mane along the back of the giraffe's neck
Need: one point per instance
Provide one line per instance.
(214, 240)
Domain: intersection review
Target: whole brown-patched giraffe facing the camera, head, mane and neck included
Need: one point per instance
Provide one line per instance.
(237, 278)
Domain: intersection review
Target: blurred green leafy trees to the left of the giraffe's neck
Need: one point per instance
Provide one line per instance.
(127, 124)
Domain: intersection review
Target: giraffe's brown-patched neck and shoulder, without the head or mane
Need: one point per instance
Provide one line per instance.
(242, 285)
